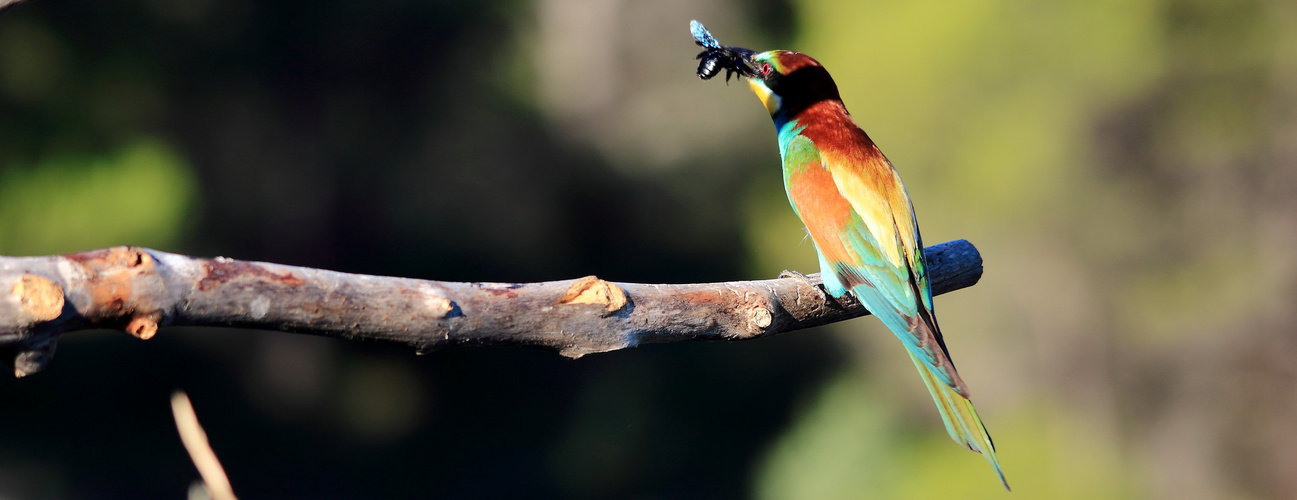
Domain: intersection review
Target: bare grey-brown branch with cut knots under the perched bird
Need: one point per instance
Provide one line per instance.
(141, 291)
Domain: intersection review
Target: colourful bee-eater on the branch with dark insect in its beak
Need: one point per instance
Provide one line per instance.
(859, 217)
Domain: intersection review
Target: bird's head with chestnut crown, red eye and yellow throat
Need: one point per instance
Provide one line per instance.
(789, 82)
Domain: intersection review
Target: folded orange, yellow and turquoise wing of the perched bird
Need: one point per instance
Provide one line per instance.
(861, 218)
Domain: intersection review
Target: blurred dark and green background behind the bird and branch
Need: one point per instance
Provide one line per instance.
(1129, 170)
